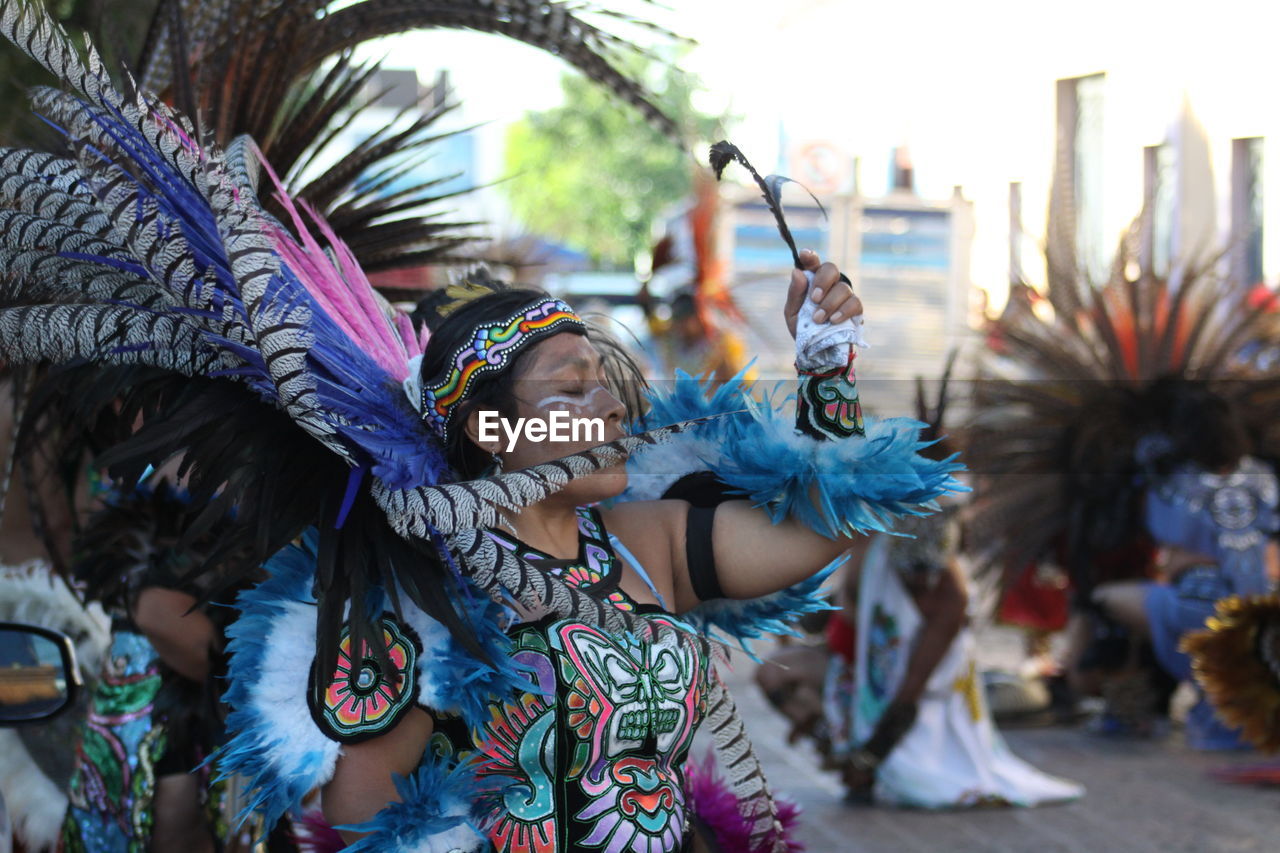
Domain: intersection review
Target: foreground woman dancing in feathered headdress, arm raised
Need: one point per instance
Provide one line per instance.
(529, 665)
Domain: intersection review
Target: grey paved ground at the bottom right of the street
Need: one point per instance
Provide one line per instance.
(1144, 797)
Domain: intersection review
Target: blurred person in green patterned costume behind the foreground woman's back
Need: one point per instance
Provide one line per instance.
(154, 714)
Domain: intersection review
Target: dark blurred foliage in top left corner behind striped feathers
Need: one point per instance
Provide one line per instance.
(118, 30)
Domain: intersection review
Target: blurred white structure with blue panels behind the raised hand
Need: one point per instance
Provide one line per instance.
(907, 257)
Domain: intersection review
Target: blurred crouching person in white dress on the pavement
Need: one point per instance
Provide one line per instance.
(911, 724)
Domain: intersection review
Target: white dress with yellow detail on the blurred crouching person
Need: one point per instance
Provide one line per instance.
(953, 756)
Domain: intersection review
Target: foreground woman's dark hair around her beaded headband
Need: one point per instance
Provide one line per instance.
(495, 391)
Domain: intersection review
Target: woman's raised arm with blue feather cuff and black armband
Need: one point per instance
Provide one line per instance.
(813, 482)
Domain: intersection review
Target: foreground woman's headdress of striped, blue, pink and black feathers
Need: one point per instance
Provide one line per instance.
(147, 248)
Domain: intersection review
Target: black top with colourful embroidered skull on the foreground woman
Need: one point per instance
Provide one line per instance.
(596, 749)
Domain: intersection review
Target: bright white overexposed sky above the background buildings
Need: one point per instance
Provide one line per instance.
(968, 86)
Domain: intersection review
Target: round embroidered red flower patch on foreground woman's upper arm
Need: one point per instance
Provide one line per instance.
(362, 700)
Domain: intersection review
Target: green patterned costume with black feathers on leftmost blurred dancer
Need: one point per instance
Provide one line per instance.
(145, 720)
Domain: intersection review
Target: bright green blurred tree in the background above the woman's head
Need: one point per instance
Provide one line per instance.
(592, 175)
